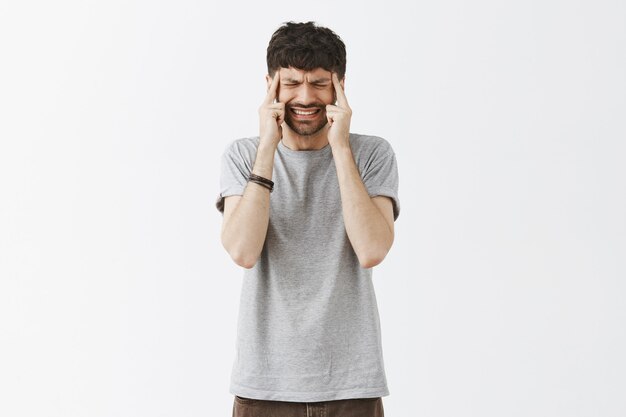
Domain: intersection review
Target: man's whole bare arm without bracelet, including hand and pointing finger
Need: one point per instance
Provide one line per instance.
(368, 220)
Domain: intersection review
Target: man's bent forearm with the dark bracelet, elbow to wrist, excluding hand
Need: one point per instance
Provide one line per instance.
(244, 233)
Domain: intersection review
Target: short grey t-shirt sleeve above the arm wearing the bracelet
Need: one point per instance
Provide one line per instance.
(235, 170)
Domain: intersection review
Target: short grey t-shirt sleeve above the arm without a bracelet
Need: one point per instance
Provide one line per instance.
(381, 178)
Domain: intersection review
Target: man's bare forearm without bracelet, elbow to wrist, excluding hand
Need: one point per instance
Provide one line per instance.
(366, 227)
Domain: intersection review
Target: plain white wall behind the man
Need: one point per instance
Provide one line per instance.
(503, 294)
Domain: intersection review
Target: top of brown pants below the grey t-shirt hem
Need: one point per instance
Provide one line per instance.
(356, 407)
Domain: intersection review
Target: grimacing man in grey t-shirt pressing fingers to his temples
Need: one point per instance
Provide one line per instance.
(308, 210)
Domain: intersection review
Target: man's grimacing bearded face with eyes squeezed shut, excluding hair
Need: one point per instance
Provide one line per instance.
(305, 94)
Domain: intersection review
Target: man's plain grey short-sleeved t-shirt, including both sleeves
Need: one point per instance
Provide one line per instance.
(308, 327)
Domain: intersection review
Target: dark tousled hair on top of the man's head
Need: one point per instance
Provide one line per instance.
(306, 46)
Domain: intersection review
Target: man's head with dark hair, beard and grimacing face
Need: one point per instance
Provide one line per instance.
(306, 55)
